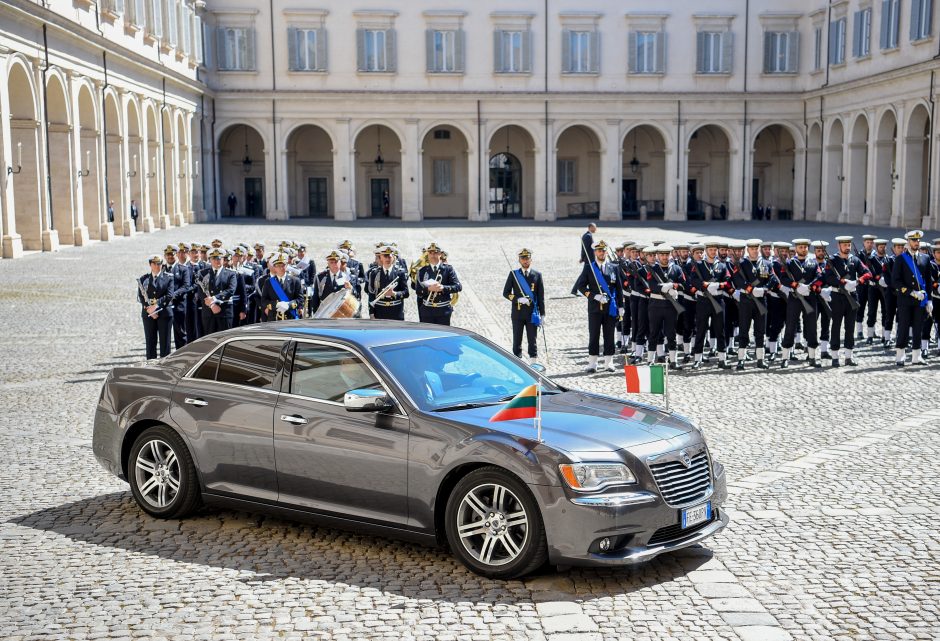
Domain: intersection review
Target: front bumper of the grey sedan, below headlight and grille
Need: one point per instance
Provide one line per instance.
(639, 524)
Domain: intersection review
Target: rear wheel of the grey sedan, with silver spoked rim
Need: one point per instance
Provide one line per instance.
(162, 475)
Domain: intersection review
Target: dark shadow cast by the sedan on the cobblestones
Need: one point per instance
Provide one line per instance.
(270, 549)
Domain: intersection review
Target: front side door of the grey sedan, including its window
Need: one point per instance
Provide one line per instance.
(332, 460)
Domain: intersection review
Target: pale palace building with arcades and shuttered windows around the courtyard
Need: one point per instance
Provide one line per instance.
(617, 110)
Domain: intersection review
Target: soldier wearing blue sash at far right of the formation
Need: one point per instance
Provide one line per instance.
(912, 278)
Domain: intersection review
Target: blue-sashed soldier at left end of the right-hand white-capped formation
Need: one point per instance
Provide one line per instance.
(601, 286)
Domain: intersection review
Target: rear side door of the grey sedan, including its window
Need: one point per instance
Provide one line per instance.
(226, 408)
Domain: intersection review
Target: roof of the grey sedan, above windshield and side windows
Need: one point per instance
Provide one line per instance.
(362, 332)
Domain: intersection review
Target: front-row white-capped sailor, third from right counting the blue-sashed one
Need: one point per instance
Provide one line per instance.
(803, 277)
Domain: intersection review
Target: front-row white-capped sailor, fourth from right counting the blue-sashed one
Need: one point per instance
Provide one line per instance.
(752, 279)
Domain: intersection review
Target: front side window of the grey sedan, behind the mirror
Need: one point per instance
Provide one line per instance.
(327, 373)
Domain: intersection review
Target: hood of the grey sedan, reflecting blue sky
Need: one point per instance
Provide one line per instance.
(582, 422)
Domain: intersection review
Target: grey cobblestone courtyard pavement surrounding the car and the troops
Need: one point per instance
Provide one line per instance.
(833, 492)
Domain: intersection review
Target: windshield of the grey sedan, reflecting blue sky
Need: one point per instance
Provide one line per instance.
(456, 371)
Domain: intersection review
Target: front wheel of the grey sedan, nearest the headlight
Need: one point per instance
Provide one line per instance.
(494, 525)
